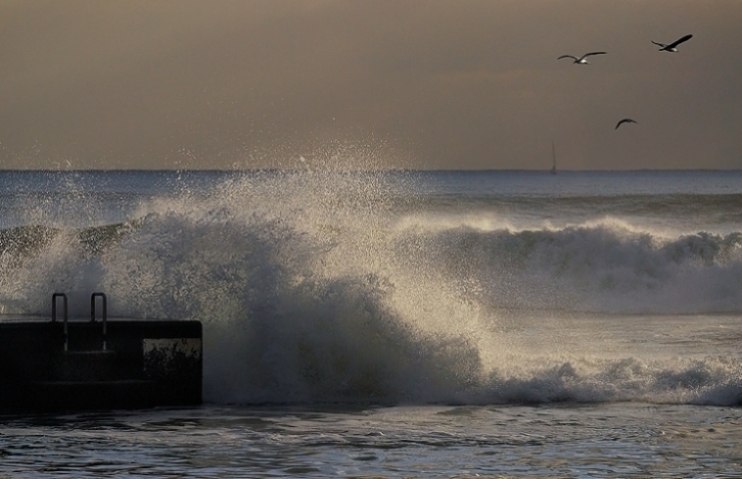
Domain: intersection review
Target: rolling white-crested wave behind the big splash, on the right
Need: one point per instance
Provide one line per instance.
(602, 268)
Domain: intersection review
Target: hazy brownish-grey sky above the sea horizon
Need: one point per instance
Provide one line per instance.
(427, 84)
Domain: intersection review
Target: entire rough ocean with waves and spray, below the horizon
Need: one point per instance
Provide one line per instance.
(395, 324)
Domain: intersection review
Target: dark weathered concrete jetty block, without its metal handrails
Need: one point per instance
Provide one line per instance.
(146, 363)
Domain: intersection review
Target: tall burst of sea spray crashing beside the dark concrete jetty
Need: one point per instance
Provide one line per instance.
(291, 276)
